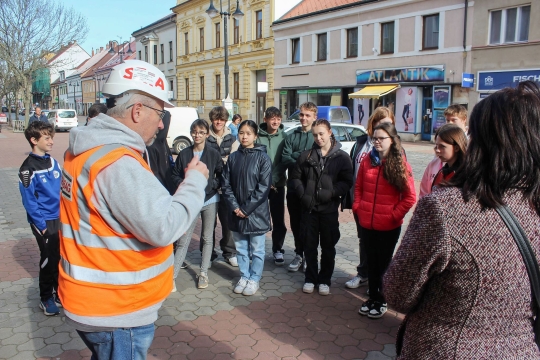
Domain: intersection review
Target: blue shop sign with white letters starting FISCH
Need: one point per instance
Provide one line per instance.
(496, 80)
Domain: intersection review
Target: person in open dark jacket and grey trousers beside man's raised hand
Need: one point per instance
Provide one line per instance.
(212, 158)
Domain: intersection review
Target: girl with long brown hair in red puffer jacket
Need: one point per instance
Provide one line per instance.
(383, 194)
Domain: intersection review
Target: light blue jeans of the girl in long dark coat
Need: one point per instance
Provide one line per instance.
(247, 244)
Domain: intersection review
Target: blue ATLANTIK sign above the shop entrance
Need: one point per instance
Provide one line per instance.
(401, 75)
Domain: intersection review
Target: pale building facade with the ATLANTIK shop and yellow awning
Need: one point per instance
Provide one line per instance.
(406, 54)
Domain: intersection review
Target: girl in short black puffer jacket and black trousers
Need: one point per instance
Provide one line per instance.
(322, 176)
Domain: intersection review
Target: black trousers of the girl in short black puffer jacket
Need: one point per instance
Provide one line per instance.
(320, 229)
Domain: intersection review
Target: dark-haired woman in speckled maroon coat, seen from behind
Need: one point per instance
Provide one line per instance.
(459, 275)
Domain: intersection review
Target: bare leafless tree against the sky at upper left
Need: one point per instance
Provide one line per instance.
(29, 31)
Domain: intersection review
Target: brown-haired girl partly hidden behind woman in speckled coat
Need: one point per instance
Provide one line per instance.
(450, 148)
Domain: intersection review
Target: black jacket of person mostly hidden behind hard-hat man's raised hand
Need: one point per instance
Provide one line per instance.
(159, 156)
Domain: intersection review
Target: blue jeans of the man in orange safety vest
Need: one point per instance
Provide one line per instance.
(120, 344)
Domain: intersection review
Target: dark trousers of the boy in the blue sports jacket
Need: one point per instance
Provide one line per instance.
(49, 248)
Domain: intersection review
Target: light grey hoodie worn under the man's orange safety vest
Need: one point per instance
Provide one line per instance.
(130, 198)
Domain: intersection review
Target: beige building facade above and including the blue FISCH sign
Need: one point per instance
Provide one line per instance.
(506, 45)
